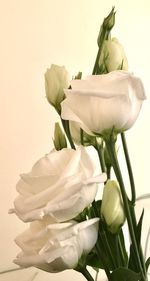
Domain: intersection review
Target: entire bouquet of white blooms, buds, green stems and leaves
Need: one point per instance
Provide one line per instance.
(76, 210)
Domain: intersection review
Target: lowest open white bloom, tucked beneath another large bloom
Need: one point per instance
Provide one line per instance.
(56, 247)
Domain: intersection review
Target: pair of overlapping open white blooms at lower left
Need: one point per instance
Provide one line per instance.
(58, 188)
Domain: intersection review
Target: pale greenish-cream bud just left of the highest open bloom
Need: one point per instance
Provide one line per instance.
(56, 79)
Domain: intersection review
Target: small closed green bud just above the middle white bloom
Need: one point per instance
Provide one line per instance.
(59, 138)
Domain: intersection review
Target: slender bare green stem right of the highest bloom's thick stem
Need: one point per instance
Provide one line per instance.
(130, 172)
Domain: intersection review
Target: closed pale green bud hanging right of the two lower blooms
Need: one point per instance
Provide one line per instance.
(112, 207)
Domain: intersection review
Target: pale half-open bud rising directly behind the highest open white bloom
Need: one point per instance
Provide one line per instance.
(113, 56)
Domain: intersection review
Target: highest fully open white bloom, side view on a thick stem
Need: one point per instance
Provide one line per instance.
(102, 102)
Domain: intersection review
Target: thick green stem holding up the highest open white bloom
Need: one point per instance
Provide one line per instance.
(111, 149)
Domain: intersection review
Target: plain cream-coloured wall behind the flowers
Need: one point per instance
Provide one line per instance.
(33, 35)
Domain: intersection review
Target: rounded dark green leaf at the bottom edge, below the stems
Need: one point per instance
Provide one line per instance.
(124, 274)
